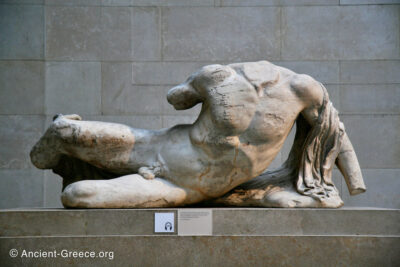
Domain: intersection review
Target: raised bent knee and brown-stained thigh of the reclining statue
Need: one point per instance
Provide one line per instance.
(104, 145)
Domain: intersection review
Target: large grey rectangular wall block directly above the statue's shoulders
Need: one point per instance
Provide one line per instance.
(220, 34)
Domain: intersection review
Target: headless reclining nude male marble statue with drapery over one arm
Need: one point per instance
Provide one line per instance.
(248, 110)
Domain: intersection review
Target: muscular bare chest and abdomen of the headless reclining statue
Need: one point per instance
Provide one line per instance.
(239, 132)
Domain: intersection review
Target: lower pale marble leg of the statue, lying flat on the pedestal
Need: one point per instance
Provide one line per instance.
(130, 191)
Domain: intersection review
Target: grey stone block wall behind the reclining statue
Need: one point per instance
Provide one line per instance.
(115, 60)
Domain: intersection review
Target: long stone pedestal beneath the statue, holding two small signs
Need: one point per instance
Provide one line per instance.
(239, 236)
